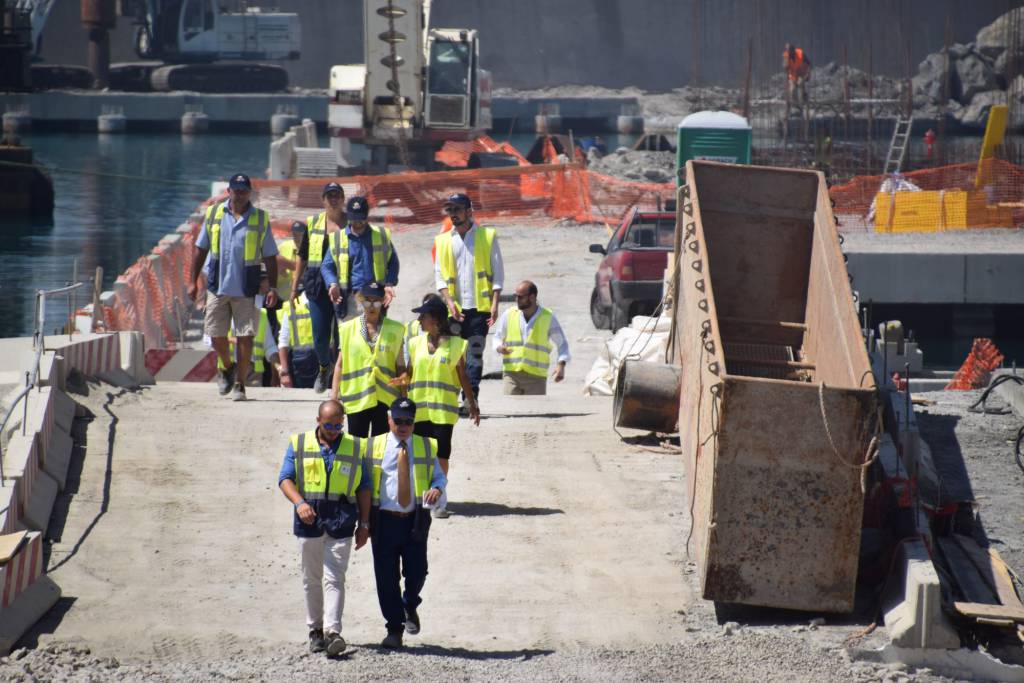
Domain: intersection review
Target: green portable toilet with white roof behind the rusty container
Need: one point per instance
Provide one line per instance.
(720, 137)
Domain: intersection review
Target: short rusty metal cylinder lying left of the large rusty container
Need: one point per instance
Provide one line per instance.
(648, 397)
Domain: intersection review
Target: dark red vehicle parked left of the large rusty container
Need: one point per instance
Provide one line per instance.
(629, 279)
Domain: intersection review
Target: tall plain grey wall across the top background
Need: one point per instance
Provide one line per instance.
(653, 45)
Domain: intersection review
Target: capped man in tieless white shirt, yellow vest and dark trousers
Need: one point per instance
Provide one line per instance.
(470, 275)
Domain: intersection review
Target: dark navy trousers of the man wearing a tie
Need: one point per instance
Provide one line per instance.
(399, 552)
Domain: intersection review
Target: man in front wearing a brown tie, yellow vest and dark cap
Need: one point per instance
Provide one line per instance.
(407, 479)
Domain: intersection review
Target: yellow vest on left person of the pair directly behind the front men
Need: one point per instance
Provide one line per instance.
(366, 371)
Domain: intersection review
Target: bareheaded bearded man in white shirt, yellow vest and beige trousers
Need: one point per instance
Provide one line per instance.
(525, 336)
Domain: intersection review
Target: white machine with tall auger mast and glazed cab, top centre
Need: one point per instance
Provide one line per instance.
(418, 89)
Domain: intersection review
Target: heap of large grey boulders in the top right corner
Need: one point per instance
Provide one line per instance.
(984, 73)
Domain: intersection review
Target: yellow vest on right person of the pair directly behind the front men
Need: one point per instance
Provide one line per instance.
(435, 387)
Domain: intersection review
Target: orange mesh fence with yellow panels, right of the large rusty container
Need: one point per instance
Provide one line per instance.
(948, 198)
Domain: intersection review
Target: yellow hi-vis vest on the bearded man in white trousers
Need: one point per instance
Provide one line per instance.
(311, 475)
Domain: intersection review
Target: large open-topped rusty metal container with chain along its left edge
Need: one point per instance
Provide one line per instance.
(778, 403)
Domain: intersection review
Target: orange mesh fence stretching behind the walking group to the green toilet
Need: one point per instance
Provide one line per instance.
(538, 195)
